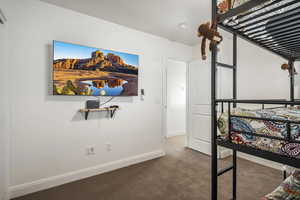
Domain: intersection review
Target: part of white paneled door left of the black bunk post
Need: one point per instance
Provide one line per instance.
(199, 119)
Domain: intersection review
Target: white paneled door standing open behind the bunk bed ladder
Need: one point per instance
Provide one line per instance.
(199, 100)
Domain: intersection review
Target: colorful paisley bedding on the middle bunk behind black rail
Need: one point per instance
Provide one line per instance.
(278, 129)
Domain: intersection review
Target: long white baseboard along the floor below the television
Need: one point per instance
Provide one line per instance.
(46, 183)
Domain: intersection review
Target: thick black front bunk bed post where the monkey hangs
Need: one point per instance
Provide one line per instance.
(214, 146)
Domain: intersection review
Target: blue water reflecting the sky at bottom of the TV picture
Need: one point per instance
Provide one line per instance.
(106, 90)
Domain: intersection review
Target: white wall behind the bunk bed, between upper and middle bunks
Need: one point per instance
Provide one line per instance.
(259, 75)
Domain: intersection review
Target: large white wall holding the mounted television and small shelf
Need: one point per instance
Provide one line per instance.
(48, 135)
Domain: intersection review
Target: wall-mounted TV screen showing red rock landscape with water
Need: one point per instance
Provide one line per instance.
(82, 70)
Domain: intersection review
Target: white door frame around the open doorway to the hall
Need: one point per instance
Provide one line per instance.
(165, 99)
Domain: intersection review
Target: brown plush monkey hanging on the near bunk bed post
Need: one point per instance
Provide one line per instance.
(210, 32)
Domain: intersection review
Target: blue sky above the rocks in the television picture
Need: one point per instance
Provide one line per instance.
(67, 50)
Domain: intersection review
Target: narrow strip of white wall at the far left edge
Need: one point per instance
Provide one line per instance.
(4, 117)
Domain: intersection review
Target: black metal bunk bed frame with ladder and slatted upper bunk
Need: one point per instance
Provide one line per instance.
(274, 26)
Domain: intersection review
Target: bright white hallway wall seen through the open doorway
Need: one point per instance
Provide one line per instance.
(176, 98)
